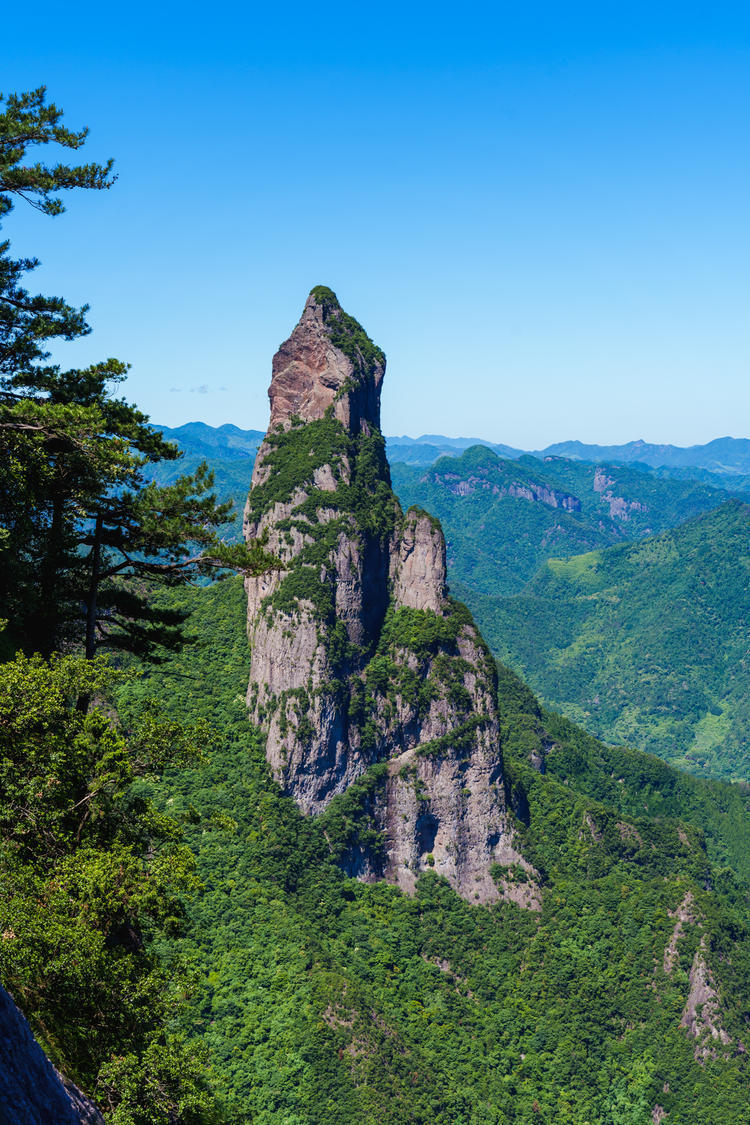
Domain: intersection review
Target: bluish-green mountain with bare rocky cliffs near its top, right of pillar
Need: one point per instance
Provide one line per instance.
(503, 519)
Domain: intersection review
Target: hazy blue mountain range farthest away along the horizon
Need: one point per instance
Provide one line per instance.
(724, 456)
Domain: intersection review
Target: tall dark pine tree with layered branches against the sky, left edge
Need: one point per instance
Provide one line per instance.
(87, 536)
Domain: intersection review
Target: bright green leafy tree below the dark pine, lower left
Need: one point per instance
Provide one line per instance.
(91, 870)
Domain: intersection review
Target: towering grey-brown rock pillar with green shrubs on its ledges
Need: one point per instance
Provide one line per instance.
(363, 668)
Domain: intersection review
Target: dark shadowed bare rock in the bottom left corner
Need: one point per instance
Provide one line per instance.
(32, 1092)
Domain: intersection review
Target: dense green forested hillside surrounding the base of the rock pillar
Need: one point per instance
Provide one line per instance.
(329, 1001)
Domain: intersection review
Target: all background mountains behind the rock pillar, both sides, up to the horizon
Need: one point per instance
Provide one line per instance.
(640, 640)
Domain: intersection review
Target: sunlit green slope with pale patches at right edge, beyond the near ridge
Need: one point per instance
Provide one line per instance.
(645, 644)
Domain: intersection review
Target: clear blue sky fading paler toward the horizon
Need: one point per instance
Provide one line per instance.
(540, 212)
